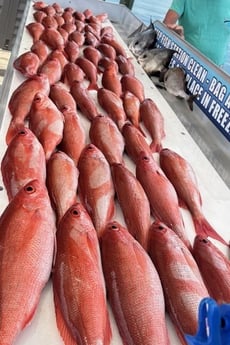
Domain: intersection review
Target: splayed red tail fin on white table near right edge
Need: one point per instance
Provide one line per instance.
(204, 229)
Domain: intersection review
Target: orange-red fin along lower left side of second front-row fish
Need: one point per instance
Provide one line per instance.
(61, 324)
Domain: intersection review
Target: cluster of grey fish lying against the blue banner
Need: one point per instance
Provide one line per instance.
(156, 61)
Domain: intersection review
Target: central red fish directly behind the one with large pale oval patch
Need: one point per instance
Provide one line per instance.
(106, 136)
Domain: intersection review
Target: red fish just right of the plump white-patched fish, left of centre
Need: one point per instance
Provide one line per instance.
(74, 136)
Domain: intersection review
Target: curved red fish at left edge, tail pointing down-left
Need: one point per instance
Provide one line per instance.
(21, 100)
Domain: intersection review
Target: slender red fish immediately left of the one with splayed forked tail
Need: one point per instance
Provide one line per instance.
(161, 194)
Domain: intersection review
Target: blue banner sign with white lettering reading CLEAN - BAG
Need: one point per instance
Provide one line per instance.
(205, 79)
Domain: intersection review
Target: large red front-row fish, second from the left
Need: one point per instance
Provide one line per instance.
(78, 282)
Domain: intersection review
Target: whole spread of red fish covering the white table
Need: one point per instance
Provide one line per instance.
(66, 180)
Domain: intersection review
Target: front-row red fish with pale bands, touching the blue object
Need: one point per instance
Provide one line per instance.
(180, 277)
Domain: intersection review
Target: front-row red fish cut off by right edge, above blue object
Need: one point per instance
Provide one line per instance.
(214, 267)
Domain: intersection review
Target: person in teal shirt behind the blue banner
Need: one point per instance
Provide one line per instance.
(204, 24)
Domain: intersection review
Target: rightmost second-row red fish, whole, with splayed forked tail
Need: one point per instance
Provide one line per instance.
(181, 174)
